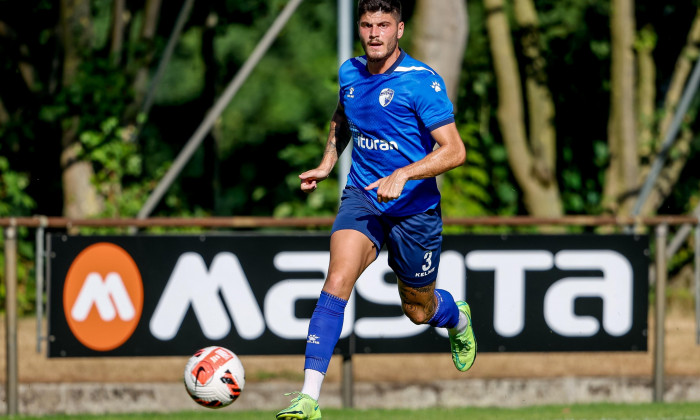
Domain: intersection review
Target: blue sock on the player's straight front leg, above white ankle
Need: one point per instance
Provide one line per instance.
(324, 331)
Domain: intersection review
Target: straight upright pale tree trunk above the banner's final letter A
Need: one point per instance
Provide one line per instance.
(623, 172)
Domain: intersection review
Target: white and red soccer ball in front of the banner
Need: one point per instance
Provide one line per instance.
(214, 377)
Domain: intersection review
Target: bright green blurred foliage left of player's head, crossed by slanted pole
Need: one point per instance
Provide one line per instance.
(279, 97)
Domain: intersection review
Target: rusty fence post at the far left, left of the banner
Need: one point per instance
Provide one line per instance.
(11, 318)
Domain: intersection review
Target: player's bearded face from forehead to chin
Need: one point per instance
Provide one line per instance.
(379, 34)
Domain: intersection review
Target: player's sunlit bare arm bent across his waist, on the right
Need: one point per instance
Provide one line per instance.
(449, 155)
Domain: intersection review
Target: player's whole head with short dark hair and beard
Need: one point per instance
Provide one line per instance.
(380, 27)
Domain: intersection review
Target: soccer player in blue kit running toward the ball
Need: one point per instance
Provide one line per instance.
(395, 109)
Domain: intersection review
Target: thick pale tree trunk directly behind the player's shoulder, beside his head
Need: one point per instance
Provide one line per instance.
(440, 37)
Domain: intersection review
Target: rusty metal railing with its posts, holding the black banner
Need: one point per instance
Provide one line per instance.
(10, 225)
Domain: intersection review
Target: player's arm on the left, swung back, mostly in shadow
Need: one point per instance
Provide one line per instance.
(338, 139)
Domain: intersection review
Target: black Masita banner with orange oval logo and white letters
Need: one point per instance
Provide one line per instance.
(164, 295)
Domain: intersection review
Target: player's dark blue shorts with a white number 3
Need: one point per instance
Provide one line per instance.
(413, 242)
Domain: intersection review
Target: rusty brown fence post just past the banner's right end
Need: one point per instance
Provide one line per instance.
(660, 312)
